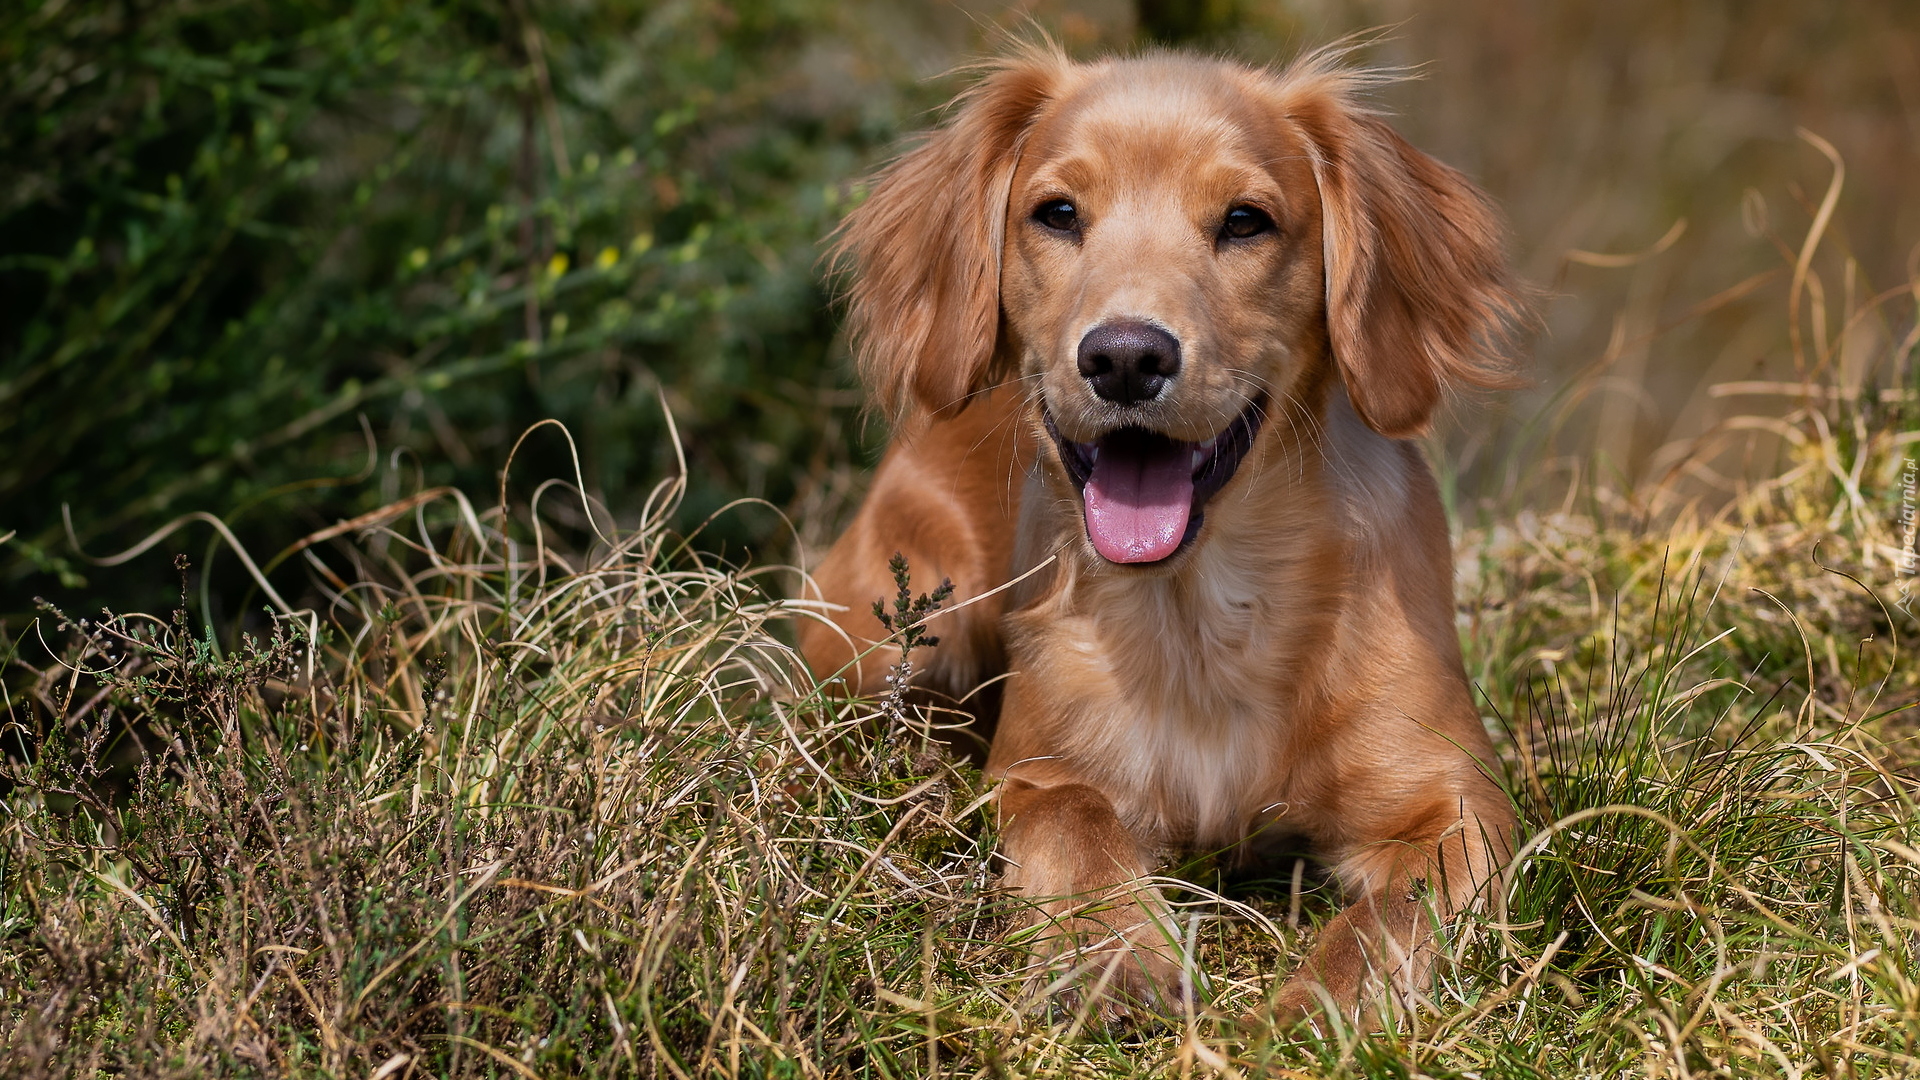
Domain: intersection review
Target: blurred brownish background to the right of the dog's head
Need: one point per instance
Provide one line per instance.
(1650, 160)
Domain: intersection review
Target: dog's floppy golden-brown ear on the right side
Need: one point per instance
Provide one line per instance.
(1418, 287)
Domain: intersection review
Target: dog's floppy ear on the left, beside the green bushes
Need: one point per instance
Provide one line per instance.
(924, 249)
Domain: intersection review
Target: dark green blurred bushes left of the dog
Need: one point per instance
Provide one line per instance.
(251, 253)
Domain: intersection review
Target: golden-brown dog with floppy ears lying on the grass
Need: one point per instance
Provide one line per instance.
(1163, 330)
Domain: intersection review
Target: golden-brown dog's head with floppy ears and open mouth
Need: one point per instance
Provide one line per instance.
(1164, 253)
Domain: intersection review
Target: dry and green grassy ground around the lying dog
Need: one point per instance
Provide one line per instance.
(517, 812)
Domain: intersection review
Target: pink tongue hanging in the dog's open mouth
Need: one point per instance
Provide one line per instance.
(1140, 499)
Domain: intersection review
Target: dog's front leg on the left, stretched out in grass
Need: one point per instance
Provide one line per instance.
(1103, 933)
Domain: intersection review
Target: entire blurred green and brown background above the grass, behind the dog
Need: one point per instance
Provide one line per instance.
(293, 262)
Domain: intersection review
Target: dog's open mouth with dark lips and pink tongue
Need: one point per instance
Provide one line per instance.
(1143, 493)
